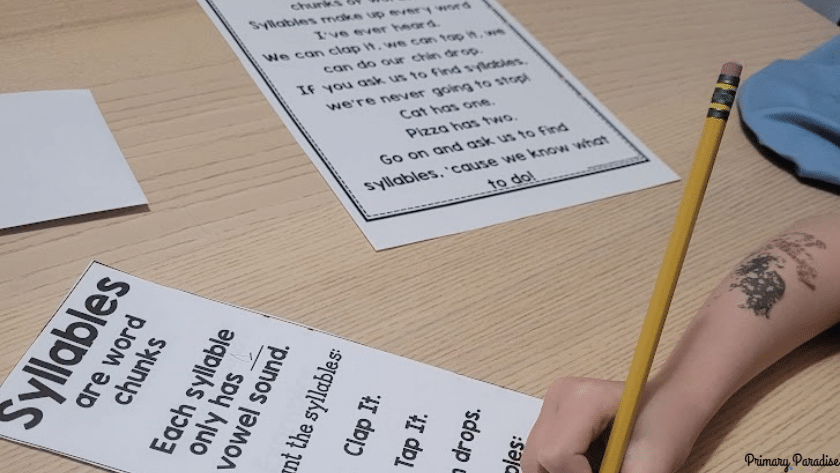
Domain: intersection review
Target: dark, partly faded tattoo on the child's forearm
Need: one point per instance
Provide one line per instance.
(758, 279)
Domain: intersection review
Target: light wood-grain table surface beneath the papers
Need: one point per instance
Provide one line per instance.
(238, 213)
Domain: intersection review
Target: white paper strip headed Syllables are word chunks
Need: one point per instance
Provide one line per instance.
(132, 376)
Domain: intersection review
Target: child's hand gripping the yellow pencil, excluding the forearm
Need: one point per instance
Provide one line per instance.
(569, 434)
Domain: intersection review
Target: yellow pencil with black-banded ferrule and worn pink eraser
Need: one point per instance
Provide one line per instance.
(669, 272)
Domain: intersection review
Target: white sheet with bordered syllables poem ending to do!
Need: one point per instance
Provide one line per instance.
(431, 117)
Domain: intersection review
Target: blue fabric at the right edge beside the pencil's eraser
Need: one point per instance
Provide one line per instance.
(793, 107)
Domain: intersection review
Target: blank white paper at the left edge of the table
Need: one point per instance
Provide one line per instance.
(59, 159)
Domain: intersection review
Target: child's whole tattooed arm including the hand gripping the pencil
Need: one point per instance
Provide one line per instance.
(779, 297)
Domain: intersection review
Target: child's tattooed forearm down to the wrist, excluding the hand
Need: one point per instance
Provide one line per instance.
(780, 296)
